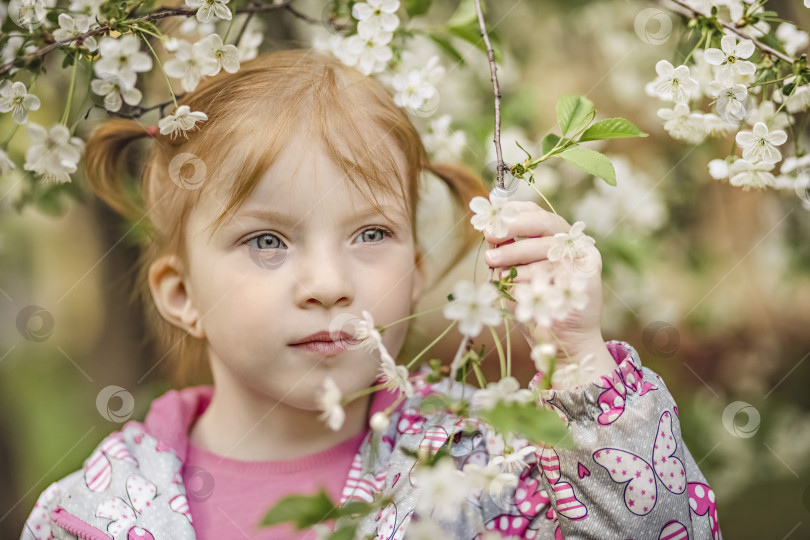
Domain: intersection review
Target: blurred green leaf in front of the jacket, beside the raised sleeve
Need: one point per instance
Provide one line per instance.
(534, 423)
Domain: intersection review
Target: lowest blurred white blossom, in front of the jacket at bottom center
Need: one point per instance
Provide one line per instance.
(441, 489)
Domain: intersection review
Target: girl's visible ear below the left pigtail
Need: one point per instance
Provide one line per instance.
(172, 295)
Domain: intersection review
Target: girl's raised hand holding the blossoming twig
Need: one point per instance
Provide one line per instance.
(526, 246)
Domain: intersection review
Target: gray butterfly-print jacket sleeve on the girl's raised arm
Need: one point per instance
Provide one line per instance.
(630, 474)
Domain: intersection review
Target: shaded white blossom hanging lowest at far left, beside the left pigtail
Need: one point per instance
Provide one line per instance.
(53, 154)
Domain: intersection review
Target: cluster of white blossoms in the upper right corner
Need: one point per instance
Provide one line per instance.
(751, 98)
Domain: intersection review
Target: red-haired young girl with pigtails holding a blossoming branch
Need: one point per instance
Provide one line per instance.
(291, 208)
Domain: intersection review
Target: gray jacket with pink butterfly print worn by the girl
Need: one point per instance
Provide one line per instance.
(629, 476)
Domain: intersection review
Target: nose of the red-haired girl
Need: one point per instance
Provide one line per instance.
(324, 280)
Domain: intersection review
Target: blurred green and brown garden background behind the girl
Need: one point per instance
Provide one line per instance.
(708, 282)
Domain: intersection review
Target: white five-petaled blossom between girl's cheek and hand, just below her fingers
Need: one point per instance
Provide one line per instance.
(472, 307)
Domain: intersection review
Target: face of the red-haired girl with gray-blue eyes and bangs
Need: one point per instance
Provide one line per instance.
(303, 254)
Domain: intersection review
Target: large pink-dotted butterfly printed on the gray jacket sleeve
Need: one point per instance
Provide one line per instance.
(640, 494)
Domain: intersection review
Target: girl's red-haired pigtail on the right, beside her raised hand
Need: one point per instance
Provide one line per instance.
(463, 185)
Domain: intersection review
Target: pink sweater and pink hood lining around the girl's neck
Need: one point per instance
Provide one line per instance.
(228, 497)
